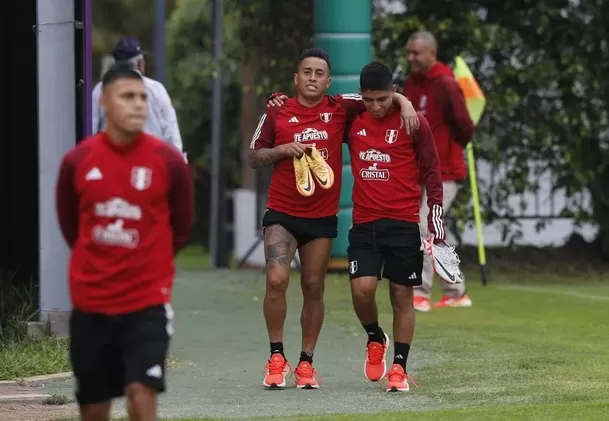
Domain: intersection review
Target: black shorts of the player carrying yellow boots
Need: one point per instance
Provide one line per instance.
(304, 230)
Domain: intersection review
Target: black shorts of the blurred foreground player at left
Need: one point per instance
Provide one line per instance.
(110, 352)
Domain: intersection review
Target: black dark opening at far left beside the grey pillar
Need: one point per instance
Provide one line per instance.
(18, 142)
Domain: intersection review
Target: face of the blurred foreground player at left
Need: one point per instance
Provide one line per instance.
(125, 103)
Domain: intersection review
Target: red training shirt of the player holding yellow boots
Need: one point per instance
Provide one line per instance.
(322, 125)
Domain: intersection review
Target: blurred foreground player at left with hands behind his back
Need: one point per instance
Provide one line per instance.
(125, 208)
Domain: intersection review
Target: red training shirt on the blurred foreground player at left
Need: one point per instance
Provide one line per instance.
(125, 212)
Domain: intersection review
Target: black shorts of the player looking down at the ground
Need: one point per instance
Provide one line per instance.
(387, 244)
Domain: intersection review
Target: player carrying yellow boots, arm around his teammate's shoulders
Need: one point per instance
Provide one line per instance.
(302, 203)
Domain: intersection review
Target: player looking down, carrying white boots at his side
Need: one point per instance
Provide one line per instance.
(387, 163)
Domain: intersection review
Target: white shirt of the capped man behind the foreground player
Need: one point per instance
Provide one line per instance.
(162, 120)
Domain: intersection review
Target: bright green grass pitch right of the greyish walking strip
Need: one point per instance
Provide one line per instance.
(533, 347)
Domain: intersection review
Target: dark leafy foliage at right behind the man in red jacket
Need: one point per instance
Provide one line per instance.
(541, 65)
